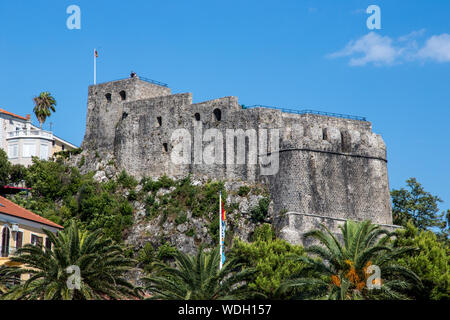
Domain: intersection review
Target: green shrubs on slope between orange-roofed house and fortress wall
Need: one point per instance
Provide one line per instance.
(60, 193)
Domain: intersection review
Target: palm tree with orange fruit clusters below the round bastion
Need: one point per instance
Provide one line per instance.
(341, 270)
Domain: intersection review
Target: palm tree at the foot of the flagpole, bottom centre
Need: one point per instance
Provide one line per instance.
(198, 278)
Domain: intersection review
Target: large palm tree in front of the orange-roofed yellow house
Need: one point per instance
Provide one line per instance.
(101, 265)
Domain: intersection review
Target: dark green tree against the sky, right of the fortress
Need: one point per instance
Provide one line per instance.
(418, 206)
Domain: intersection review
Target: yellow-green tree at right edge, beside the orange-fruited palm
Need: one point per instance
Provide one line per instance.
(430, 262)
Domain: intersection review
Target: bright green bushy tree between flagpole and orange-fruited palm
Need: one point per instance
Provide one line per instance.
(272, 260)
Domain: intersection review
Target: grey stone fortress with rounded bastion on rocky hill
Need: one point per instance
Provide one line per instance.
(330, 167)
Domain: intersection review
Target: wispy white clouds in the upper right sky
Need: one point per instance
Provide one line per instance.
(378, 50)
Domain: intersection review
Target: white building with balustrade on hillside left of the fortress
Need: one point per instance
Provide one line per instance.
(22, 140)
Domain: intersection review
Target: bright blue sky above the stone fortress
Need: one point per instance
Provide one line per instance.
(295, 54)
